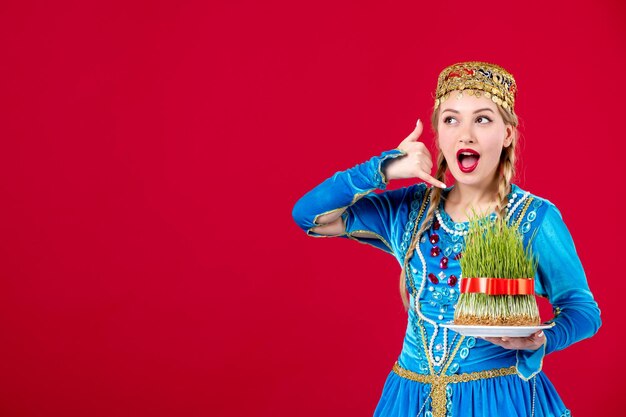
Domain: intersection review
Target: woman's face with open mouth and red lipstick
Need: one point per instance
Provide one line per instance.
(471, 135)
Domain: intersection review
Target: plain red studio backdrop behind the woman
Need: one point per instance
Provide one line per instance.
(152, 152)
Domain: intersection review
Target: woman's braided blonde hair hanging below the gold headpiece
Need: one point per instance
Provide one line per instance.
(506, 170)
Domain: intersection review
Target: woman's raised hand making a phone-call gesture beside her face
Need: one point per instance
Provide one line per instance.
(417, 163)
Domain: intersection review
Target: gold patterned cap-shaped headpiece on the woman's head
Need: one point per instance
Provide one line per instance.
(478, 78)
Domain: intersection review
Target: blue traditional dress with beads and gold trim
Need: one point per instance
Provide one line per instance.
(440, 373)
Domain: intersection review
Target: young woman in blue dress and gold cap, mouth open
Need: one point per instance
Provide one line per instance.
(439, 372)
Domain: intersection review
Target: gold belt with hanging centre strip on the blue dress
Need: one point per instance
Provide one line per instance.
(440, 382)
